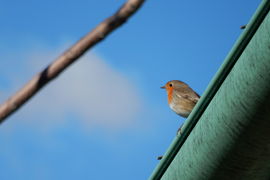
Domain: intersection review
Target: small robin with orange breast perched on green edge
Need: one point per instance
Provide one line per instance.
(181, 98)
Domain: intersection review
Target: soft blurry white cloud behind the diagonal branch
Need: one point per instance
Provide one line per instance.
(90, 90)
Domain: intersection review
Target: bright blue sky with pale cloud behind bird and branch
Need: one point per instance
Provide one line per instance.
(105, 117)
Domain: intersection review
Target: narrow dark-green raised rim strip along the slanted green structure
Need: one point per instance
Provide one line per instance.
(212, 88)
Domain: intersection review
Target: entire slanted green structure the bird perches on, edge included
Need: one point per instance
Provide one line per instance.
(227, 135)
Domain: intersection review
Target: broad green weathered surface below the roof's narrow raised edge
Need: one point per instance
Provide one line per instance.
(232, 138)
